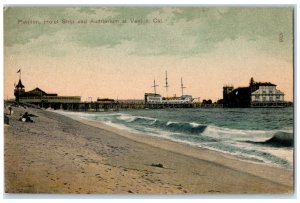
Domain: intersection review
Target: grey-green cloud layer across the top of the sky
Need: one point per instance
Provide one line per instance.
(183, 31)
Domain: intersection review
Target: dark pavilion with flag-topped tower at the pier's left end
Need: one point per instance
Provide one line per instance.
(37, 96)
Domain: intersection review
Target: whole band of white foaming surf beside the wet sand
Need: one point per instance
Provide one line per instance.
(246, 142)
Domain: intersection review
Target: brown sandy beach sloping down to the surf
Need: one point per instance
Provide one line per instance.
(56, 154)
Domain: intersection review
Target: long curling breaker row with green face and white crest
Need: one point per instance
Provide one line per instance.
(275, 138)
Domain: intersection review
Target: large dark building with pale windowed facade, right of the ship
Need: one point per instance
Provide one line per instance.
(258, 94)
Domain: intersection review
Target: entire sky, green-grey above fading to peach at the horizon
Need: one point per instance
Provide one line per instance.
(117, 52)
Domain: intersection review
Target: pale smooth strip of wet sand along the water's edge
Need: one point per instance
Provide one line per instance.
(227, 159)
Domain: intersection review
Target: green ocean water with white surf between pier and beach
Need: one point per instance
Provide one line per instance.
(263, 135)
